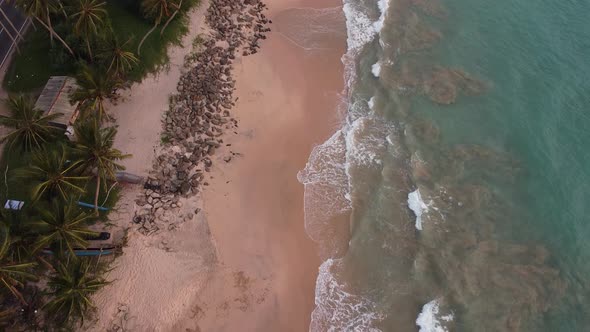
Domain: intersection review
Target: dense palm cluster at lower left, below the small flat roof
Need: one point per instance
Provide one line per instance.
(50, 179)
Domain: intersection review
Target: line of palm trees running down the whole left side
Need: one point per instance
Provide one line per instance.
(40, 291)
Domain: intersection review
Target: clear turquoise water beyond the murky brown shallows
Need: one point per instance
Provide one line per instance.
(534, 53)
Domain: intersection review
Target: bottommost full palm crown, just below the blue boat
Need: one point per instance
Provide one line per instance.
(72, 287)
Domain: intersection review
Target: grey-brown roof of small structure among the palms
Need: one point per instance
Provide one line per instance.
(55, 98)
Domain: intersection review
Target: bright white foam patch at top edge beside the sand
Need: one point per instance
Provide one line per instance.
(358, 26)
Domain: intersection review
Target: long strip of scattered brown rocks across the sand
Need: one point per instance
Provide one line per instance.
(199, 113)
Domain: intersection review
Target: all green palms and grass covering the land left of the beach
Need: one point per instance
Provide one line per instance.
(104, 44)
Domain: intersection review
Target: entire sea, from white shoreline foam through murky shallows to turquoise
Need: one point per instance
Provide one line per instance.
(456, 195)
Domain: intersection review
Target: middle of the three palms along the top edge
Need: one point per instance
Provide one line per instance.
(89, 19)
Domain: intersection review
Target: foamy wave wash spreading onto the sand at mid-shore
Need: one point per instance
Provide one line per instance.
(327, 175)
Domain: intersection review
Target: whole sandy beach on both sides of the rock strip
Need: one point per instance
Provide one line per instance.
(244, 262)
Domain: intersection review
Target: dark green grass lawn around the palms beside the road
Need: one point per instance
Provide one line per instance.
(124, 27)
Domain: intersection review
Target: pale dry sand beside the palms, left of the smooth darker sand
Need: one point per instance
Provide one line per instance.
(156, 276)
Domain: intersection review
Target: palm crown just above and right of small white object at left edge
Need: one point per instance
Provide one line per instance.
(53, 174)
